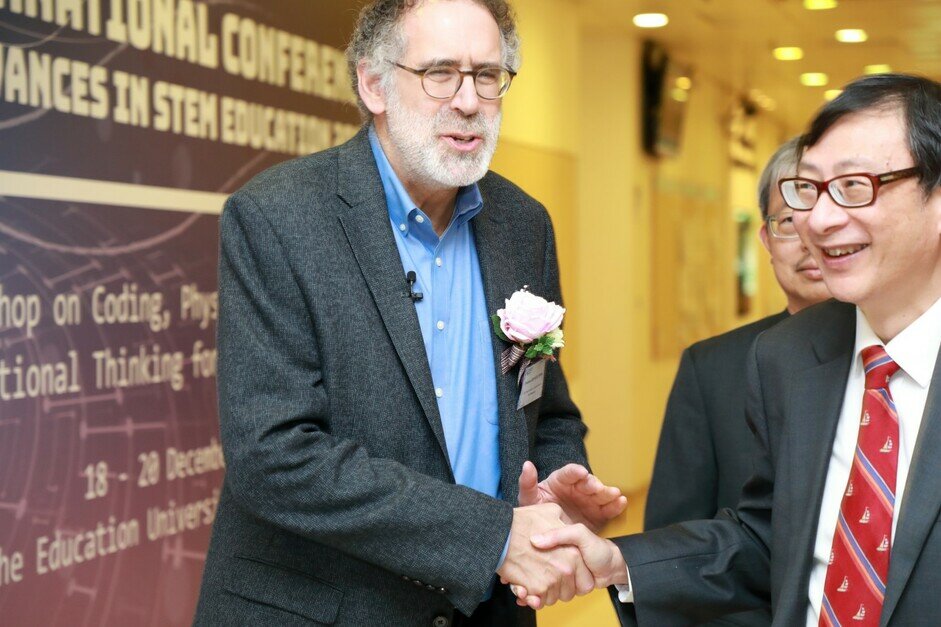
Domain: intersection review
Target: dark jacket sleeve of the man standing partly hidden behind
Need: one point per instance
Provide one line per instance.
(685, 475)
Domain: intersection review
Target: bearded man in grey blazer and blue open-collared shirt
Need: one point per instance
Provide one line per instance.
(373, 445)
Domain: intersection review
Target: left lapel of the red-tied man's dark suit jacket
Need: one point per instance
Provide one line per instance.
(816, 400)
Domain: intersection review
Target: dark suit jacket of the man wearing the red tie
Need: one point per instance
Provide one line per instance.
(797, 374)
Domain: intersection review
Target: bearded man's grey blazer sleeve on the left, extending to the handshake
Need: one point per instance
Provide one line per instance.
(285, 467)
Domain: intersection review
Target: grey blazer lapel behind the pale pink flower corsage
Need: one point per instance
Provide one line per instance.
(502, 273)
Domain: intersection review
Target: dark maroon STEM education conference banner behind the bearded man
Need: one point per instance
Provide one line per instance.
(124, 124)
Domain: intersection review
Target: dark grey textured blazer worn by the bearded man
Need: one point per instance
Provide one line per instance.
(339, 506)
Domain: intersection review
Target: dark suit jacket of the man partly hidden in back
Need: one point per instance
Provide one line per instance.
(705, 451)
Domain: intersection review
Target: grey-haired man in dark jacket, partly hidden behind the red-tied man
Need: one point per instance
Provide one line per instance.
(705, 451)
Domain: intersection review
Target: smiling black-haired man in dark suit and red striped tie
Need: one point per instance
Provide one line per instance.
(830, 529)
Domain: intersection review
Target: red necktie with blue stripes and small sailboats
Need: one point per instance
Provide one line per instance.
(859, 560)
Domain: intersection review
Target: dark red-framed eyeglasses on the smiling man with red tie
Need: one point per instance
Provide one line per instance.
(847, 190)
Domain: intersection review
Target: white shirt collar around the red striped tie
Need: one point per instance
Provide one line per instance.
(914, 349)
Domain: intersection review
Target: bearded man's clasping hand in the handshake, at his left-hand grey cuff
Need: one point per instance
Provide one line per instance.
(547, 576)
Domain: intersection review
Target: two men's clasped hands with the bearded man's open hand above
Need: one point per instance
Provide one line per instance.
(553, 553)
